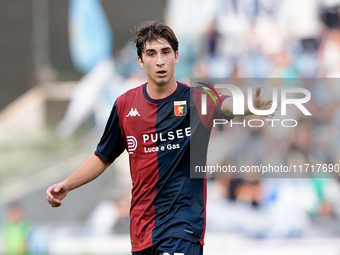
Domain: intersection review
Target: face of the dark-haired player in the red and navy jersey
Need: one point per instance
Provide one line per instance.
(159, 62)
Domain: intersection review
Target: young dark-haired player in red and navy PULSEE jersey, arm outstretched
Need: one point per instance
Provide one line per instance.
(152, 122)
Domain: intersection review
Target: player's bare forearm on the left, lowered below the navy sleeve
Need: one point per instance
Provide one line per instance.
(89, 170)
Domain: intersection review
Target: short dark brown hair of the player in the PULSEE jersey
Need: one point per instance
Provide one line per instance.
(154, 30)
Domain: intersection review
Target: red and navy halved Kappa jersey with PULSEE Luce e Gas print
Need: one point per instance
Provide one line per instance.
(165, 201)
